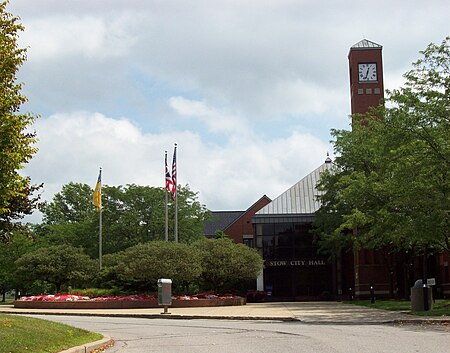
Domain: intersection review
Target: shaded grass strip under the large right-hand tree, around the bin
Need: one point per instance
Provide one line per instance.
(440, 307)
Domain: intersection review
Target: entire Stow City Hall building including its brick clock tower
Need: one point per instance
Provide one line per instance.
(280, 229)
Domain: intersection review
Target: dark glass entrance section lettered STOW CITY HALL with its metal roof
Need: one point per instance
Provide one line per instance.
(294, 269)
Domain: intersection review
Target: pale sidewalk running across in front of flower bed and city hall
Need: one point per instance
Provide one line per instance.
(307, 312)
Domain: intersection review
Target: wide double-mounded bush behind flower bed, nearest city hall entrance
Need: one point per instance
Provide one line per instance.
(208, 264)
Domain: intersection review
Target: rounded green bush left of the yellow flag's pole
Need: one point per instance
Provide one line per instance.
(59, 265)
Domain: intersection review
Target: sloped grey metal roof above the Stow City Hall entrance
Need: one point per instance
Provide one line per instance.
(301, 198)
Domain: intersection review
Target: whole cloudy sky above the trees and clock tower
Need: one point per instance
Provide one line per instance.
(249, 90)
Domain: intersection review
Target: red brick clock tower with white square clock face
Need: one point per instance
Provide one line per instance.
(366, 75)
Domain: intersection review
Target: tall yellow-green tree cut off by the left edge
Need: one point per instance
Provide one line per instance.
(16, 141)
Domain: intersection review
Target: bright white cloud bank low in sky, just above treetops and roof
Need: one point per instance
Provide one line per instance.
(73, 146)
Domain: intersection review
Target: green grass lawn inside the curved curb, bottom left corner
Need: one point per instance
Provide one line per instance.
(20, 334)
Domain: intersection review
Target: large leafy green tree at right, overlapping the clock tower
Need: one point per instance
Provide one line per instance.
(391, 182)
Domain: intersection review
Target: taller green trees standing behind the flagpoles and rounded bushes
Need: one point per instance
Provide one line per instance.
(132, 214)
